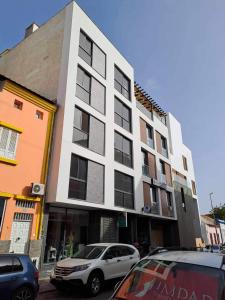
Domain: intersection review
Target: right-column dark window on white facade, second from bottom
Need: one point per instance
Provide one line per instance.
(123, 150)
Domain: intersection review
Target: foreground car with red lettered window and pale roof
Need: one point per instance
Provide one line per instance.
(175, 275)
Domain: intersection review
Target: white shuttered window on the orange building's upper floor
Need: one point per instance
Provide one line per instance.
(8, 142)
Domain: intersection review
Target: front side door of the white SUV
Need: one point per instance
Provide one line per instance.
(111, 265)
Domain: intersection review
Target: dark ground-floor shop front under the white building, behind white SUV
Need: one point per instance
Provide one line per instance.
(69, 229)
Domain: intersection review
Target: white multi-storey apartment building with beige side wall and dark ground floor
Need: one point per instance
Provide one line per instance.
(117, 159)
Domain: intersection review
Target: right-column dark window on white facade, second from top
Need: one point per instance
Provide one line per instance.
(122, 115)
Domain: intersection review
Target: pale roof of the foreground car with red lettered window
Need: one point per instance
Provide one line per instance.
(208, 259)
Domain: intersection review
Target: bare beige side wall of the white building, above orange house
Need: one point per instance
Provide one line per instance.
(35, 62)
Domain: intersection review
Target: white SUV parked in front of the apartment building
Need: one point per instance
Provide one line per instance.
(94, 264)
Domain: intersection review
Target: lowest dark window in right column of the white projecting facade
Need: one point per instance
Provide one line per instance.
(124, 196)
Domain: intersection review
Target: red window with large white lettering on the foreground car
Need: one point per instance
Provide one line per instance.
(165, 280)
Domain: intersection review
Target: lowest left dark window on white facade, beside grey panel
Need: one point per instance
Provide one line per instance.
(78, 178)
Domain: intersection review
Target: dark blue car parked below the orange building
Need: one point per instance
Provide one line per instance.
(18, 277)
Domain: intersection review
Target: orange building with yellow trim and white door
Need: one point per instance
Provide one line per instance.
(26, 121)
